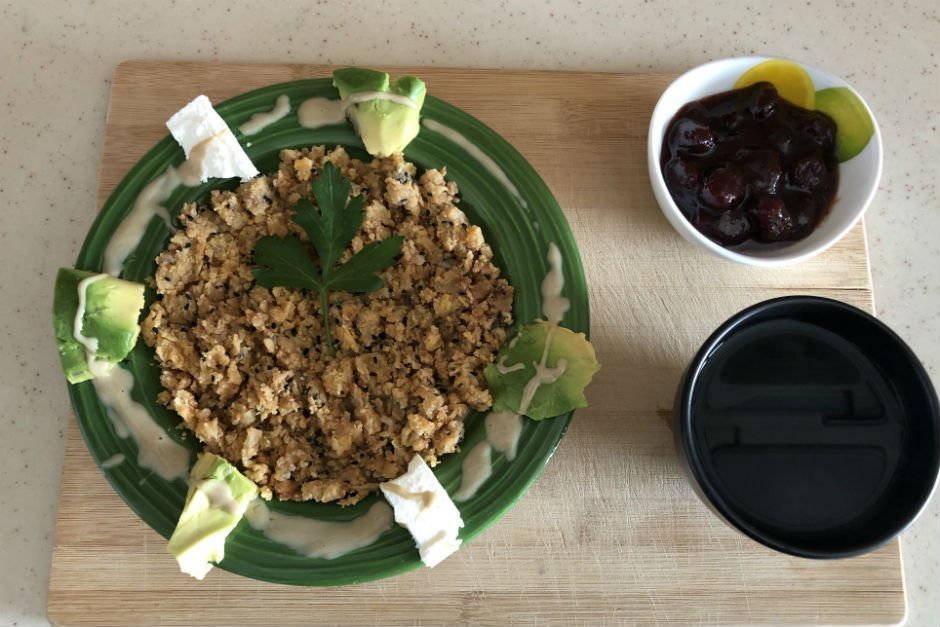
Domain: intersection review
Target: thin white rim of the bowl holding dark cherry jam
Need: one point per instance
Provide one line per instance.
(690, 232)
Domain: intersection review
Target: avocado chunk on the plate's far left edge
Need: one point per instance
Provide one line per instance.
(112, 307)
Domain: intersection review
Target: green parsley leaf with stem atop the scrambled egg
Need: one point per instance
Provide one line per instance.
(284, 262)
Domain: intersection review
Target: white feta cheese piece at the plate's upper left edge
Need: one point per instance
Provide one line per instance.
(210, 146)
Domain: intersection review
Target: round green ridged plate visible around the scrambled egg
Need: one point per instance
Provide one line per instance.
(518, 227)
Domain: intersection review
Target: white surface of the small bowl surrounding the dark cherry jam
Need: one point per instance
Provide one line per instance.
(858, 177)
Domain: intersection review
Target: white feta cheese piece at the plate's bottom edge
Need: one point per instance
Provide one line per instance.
(424, 508)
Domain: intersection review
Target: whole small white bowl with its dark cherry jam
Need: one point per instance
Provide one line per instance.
(763, 161)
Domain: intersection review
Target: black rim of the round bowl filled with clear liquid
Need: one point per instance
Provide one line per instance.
(713, 494)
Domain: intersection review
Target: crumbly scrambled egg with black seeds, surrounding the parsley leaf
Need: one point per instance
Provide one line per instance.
(246, 368)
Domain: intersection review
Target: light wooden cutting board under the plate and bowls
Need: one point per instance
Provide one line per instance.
(611, 533)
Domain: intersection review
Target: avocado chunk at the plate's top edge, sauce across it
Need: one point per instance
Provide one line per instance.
(385, 126)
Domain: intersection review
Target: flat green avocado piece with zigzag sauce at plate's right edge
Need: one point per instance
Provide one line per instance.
(508, 382)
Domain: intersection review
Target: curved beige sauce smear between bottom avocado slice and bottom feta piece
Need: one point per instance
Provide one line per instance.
(326, 539)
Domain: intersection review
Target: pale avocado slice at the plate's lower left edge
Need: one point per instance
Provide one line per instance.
(217, 499)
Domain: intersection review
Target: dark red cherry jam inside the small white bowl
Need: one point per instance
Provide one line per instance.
(747, 165)
